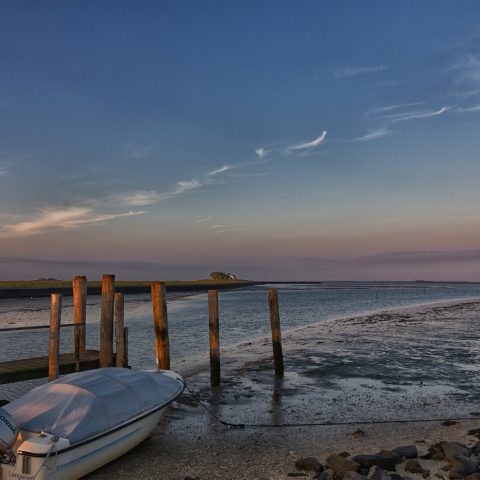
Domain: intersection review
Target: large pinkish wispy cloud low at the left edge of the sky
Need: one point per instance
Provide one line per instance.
(49, 219)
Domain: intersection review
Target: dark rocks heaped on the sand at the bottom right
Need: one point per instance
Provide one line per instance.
(459, 462)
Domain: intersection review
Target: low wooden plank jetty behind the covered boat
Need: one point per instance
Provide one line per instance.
(31, 368)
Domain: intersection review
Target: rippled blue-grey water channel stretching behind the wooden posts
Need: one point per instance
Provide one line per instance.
(243, 315)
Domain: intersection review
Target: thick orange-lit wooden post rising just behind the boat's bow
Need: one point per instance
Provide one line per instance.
(160, 325)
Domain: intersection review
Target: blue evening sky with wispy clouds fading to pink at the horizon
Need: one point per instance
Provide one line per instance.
(280, 140)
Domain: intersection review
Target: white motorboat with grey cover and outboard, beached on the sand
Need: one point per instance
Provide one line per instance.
(80, 422)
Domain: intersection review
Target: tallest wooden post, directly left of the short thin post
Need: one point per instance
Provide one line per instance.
(106, 321)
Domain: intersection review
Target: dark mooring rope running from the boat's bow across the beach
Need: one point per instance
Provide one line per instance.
(318, 424)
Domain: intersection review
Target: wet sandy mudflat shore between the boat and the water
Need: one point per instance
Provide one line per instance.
(415, 363)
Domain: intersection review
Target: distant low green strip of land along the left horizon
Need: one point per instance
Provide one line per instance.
(41, 288)
